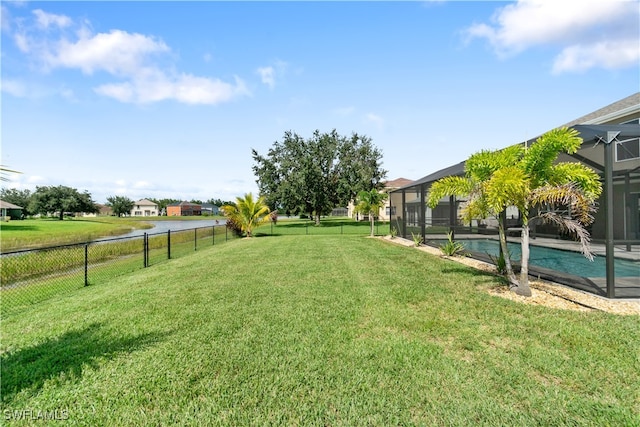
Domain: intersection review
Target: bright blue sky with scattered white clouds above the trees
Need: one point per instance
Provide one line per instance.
(167, 99)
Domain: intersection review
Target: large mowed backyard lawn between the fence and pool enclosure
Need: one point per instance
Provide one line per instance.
(316, 330)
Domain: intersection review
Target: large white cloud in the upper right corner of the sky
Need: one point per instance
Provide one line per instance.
(590, 33)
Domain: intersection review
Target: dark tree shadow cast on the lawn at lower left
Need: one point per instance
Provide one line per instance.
(70, 353)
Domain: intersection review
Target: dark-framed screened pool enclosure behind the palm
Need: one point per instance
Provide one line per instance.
(613, 151)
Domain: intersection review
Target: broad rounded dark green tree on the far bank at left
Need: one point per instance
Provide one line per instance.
(61, 199)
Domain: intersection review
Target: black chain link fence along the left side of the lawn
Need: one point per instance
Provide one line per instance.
(32, 276)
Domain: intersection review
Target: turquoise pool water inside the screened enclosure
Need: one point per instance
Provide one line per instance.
(554, 259)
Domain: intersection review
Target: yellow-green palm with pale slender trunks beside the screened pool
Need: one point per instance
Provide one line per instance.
(542, 189)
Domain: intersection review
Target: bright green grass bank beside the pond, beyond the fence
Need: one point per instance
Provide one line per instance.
(37, 233)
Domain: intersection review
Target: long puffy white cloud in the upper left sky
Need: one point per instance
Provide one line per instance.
(131, 57)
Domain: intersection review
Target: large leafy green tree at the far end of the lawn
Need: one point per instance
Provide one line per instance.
(317, 174)
